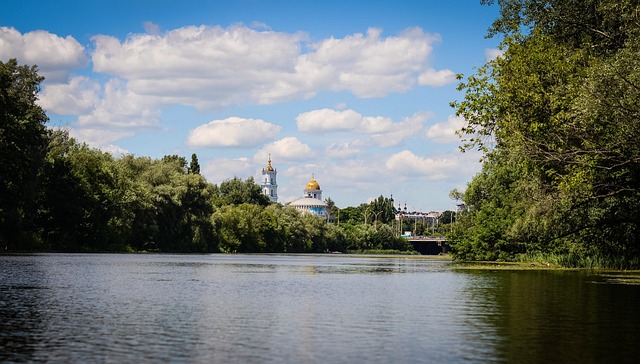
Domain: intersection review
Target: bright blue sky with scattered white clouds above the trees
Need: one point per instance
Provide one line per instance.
(355, 93)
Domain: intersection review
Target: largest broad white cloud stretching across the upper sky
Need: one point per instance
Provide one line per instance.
(210, 67)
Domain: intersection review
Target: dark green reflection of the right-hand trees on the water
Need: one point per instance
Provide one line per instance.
(543, 316)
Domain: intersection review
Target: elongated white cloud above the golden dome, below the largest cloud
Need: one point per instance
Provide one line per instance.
(383, 131)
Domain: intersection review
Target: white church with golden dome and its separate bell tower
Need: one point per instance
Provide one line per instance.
(311, 200)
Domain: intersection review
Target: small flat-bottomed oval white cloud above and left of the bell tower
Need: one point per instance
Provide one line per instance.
(232, 132)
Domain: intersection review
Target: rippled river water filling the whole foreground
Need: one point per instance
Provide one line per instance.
(308, 309)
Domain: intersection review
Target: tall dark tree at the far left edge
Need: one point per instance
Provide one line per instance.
(22, 149)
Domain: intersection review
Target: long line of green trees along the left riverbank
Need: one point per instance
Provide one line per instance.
(57, 194)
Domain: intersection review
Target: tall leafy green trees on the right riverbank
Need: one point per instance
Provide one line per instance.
(558, 119)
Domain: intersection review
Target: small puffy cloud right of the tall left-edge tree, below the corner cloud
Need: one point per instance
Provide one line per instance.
(79, 96)
